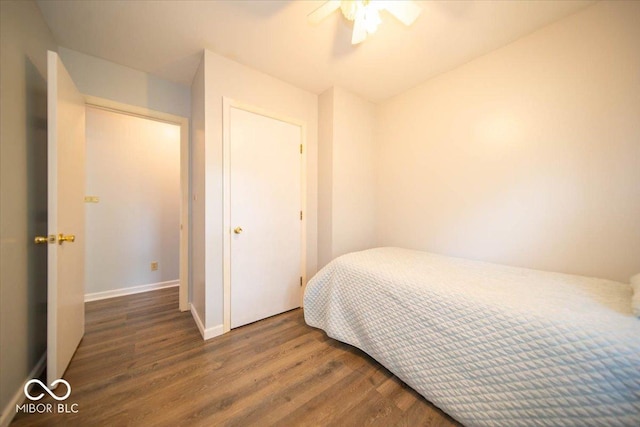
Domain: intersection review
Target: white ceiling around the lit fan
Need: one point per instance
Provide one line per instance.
(166, 38)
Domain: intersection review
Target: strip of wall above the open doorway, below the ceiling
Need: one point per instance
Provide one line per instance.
(105, 79)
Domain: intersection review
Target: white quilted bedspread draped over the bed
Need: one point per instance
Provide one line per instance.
(491, 345)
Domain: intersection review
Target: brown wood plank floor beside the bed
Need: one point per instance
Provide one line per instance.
(143, 363)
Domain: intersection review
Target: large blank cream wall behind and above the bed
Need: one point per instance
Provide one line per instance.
(527, 156)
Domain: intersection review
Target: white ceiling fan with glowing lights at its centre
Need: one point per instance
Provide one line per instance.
(365, 14)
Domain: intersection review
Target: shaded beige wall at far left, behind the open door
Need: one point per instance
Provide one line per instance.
(24, 40)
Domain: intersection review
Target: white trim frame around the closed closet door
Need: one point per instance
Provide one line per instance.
(227, 104)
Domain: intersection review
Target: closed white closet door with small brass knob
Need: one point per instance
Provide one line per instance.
(265, 201)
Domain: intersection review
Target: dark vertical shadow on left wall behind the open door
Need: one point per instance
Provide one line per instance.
(36, 180)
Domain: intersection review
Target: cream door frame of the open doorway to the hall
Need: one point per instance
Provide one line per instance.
(185, 179)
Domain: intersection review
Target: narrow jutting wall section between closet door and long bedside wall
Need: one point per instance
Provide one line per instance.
(346, 174)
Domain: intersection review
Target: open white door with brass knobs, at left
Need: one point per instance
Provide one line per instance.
(66, 174)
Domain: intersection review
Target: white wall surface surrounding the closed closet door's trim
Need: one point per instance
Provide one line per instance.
(226, 78)
